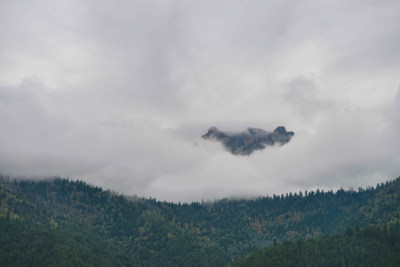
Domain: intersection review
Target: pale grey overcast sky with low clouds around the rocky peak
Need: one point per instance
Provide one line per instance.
(118, 93)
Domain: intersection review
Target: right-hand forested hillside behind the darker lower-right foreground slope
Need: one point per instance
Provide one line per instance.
(242, 226)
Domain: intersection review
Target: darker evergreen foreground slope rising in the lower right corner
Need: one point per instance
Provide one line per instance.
(372, 246)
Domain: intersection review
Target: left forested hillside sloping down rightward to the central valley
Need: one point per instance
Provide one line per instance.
(65, 209)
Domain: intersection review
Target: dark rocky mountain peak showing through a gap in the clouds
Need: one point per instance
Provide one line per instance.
(244, 143)
